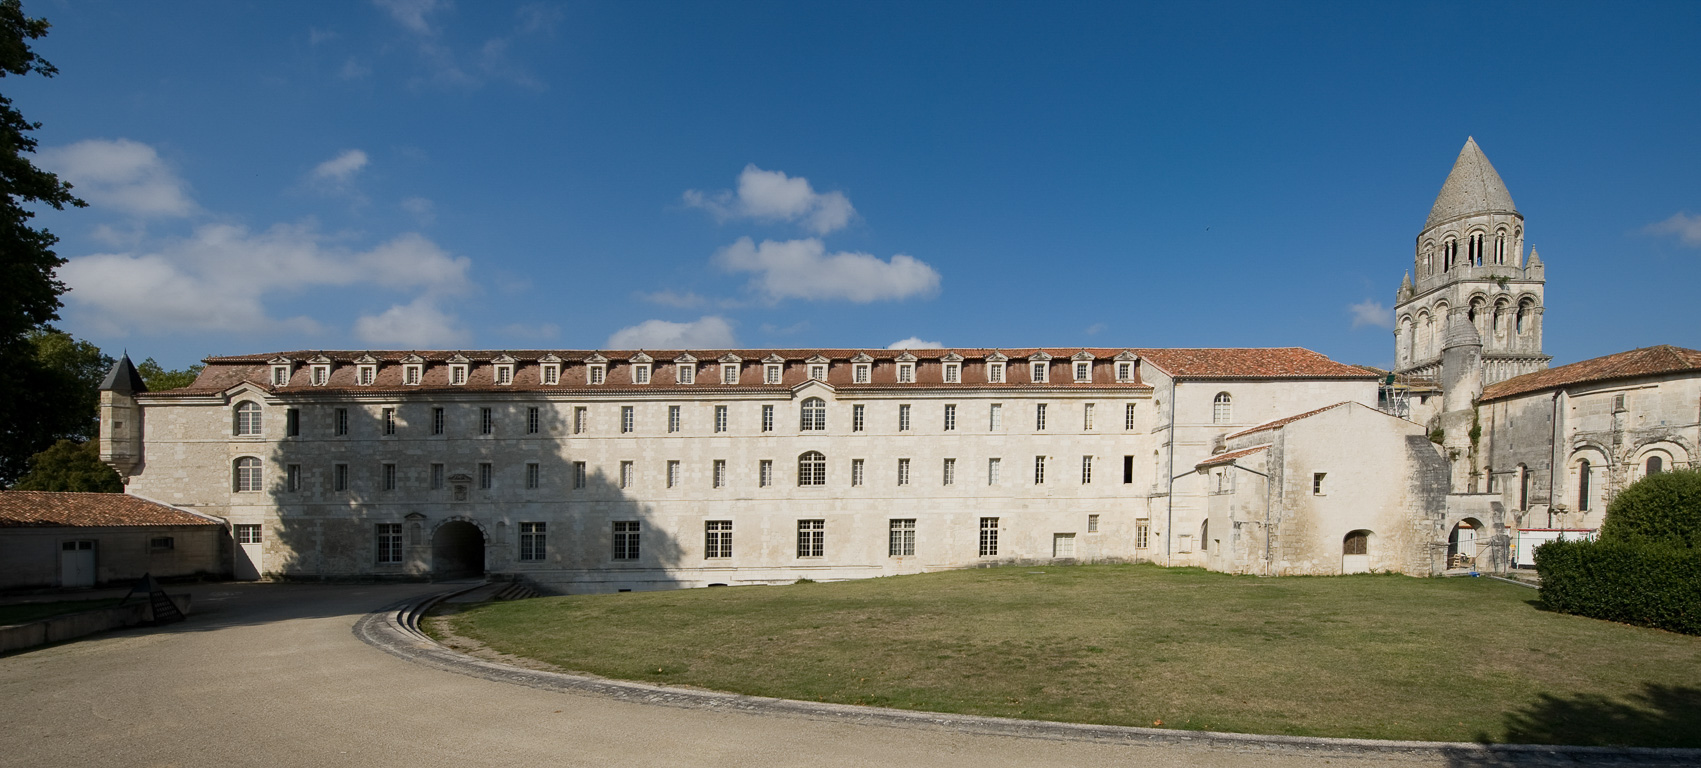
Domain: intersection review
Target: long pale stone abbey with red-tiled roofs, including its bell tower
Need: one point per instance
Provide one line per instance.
(600, 471)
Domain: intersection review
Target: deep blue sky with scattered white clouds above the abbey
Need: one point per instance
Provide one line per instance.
(579, 176)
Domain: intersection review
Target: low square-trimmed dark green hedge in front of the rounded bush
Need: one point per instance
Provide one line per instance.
(1632, 583)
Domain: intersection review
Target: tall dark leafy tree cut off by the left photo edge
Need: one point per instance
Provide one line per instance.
(38, 404)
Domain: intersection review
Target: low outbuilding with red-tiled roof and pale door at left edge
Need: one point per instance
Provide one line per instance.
(82, 541)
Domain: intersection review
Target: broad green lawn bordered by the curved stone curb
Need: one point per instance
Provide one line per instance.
(1360, 656)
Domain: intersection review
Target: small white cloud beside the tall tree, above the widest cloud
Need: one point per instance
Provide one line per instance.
(122, 175)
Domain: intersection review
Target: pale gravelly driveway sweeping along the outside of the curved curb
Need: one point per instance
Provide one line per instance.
(273, 675)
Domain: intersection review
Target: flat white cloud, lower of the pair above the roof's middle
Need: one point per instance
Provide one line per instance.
(805, 270)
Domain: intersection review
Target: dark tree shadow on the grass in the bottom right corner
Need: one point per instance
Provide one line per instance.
(1661, 716)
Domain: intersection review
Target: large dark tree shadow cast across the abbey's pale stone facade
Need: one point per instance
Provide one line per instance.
(322, 529)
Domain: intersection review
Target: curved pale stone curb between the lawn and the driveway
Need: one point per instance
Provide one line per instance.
(395, 631)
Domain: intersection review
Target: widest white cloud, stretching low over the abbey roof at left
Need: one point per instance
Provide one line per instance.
(222, 277)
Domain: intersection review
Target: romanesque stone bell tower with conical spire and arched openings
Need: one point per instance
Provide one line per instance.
(1474, 314)
